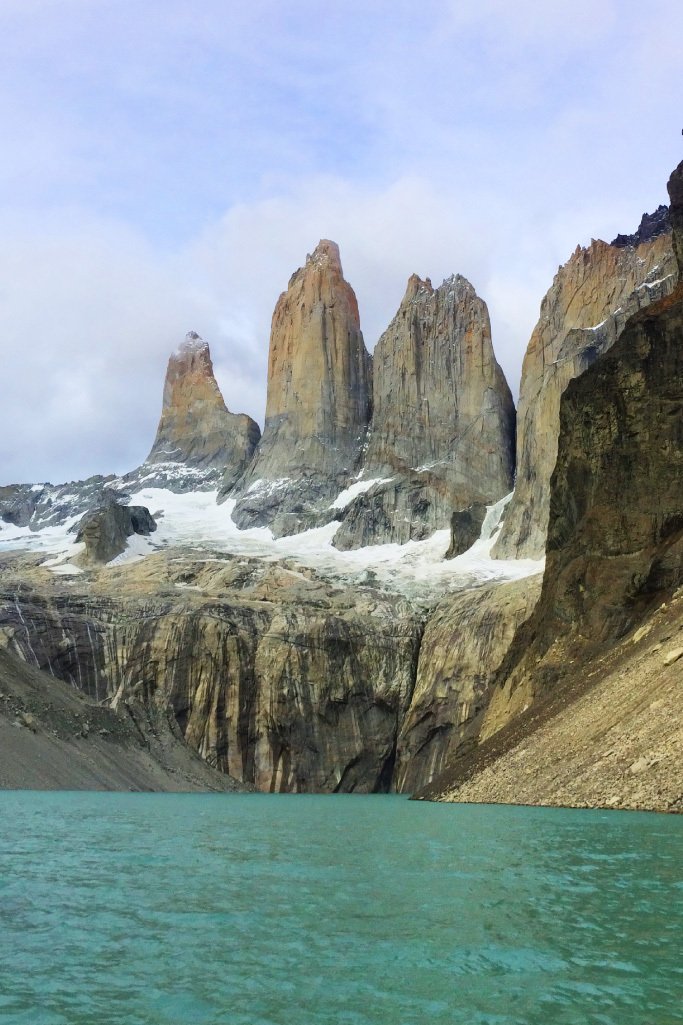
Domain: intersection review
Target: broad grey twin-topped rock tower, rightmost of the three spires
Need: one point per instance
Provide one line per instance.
(444, 424)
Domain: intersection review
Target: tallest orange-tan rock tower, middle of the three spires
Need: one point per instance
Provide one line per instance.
(319, 400)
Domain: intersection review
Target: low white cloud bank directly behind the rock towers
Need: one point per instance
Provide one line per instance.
(92, 311)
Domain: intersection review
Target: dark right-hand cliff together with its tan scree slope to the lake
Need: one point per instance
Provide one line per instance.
(596, 666)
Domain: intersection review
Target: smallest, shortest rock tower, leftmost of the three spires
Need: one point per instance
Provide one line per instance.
(196, 428)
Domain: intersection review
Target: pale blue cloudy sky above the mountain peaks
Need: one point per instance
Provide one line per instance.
(168, 166)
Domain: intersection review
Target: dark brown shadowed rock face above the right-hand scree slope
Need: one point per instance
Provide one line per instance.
(616, 529)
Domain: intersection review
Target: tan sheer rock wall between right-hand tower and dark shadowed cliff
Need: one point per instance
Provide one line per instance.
(582, 316)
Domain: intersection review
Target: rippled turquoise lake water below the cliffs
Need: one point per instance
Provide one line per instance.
(151, 910)
